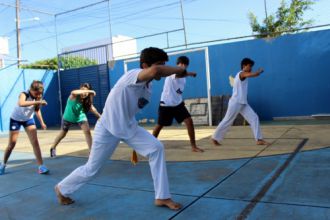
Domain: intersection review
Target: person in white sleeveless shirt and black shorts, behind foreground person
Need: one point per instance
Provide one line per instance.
(172, 106)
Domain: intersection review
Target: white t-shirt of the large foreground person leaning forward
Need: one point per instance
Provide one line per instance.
(125, 99)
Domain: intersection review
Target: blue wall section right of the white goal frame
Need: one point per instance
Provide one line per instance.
(296, 78)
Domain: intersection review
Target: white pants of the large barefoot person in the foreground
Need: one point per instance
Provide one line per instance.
(104, 144)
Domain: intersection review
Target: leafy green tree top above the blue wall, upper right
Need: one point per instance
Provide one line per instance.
(287, 19)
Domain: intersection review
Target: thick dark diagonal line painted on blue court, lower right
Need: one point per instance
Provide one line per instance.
(248, 209)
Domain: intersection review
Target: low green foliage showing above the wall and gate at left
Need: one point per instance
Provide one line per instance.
(66, 63)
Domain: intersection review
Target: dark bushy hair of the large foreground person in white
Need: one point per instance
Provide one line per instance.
(152, 55)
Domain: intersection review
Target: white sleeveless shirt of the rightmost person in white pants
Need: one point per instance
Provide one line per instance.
(240, 89)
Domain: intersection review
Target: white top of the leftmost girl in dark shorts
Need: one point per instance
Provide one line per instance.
(24, 113)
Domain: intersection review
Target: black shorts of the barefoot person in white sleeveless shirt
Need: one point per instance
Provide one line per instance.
(167, 113)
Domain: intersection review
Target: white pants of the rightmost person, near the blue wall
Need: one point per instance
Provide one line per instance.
(233, 109)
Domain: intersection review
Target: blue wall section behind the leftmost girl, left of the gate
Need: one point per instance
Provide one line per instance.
(14, 81)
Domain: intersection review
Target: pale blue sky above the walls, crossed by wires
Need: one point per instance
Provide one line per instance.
(204, 20)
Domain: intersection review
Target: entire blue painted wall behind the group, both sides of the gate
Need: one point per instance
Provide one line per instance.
(295, 81)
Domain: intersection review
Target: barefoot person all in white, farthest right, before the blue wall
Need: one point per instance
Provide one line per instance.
(238, 104)
